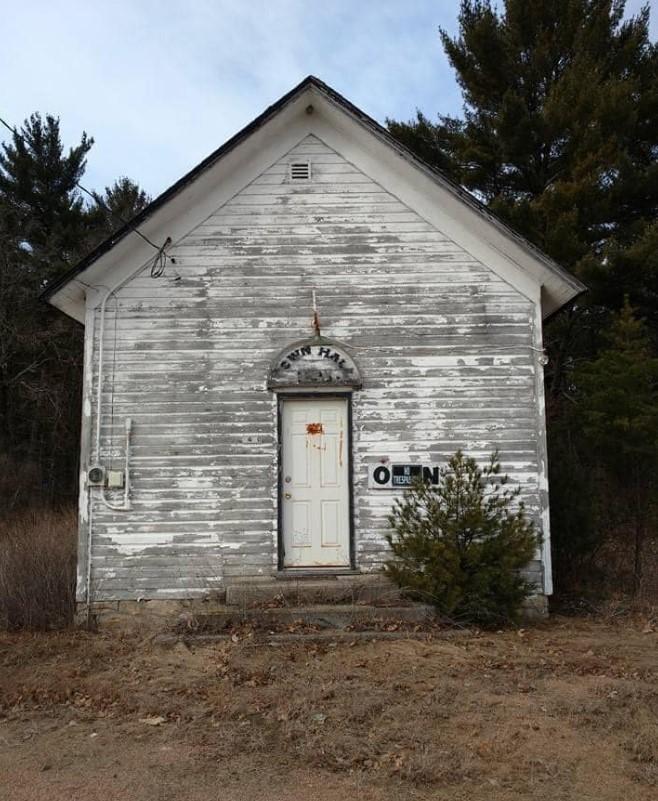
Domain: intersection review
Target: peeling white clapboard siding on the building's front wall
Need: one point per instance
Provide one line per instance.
(445, 347)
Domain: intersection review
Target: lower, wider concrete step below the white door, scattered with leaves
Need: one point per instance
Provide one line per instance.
(318, 616)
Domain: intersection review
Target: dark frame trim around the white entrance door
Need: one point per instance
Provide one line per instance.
(281, 398)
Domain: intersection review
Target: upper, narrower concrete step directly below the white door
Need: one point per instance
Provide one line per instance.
(304, 590)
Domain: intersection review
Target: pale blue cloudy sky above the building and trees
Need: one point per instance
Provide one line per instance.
(159, 85)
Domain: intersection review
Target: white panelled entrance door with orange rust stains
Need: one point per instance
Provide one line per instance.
(315, 483)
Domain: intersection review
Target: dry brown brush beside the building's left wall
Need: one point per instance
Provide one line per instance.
(37, 569)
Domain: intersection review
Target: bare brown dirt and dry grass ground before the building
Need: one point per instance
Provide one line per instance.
(566, 710)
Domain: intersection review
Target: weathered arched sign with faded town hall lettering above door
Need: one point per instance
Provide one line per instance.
(313, 363)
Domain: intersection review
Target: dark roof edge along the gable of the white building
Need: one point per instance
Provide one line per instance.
(558, 285)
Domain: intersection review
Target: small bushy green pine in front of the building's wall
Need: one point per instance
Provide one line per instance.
(462, 543)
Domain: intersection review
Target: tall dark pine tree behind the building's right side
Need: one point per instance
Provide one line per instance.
(559, 136)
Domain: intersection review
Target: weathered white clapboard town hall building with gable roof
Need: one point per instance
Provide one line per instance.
(327, 316)
